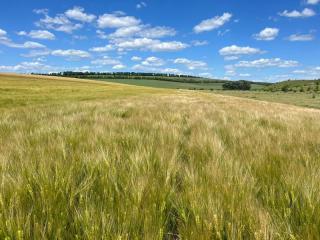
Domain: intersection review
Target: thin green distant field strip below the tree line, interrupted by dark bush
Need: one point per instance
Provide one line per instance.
(173, 85)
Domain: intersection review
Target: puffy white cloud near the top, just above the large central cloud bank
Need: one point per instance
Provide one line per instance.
(117, 20)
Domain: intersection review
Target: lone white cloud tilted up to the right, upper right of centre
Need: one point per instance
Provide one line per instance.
(213, 23)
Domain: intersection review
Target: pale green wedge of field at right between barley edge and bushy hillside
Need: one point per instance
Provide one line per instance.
(303, 99)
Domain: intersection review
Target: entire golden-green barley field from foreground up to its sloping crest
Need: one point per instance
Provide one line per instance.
(154, 165)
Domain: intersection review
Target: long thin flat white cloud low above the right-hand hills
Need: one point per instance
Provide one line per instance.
(265, 62)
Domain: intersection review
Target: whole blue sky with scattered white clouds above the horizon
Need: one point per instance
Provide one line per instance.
(232, 39)
